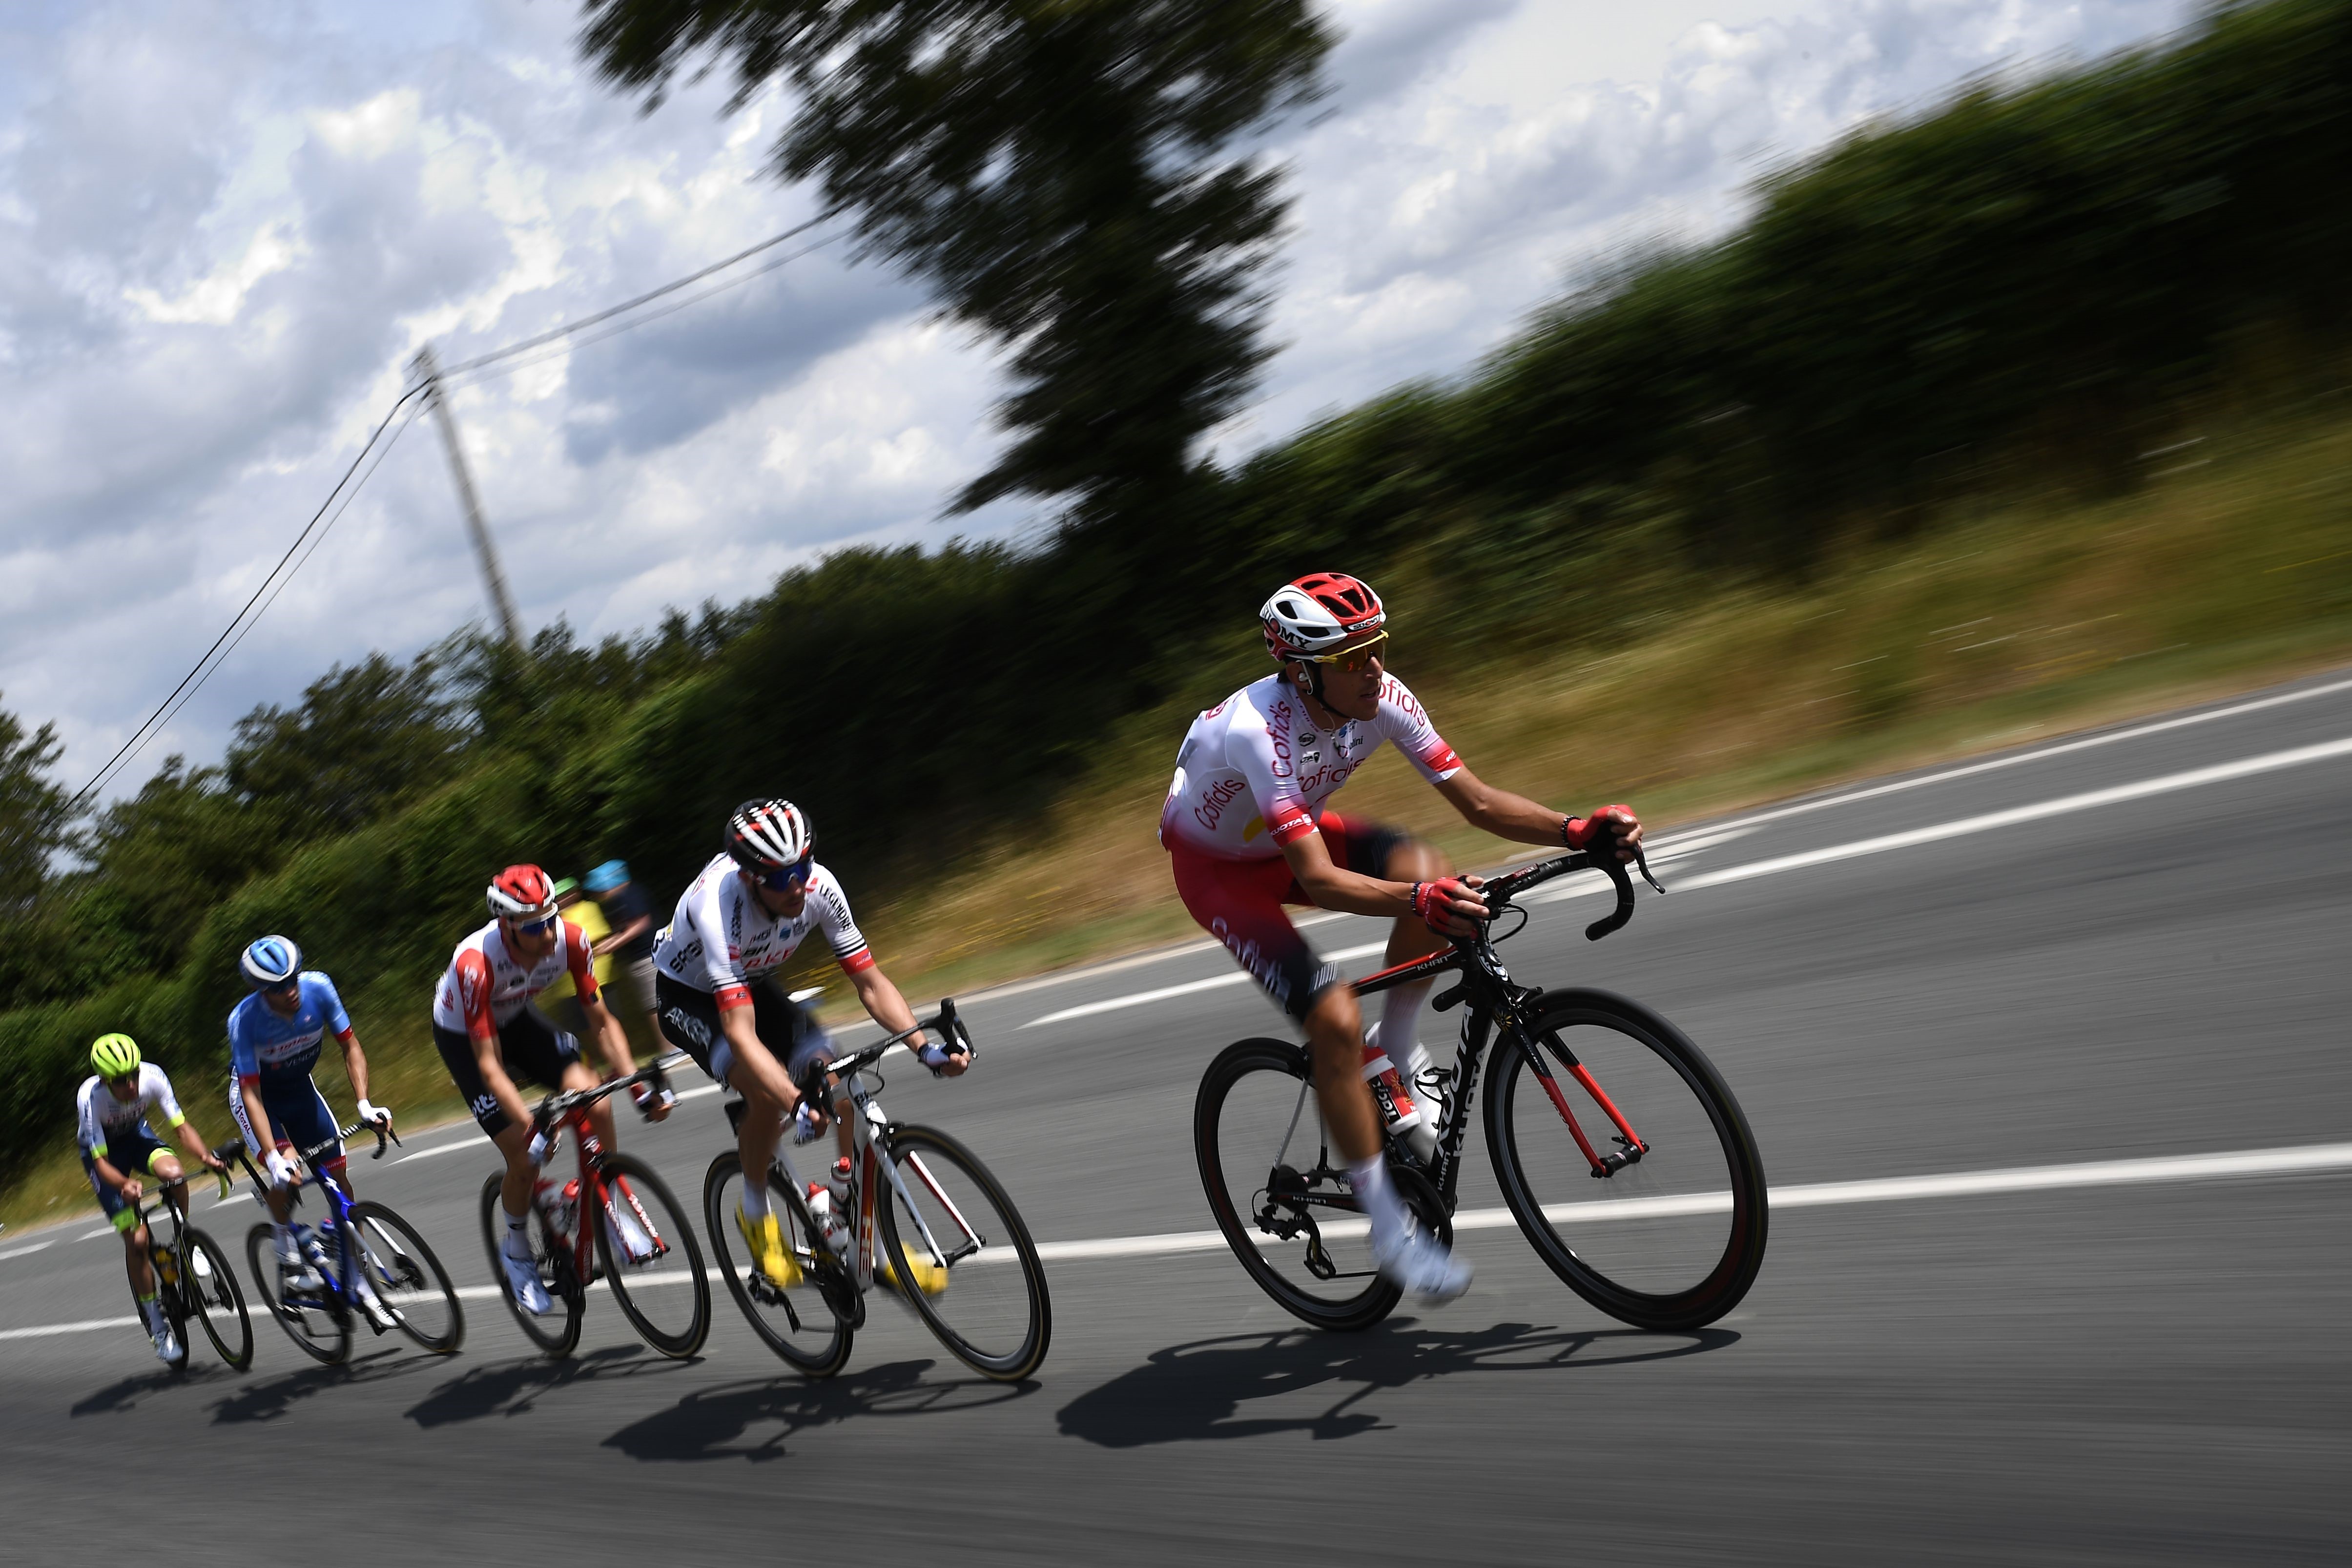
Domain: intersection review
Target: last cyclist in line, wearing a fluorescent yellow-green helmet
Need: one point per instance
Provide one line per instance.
(116, 1113)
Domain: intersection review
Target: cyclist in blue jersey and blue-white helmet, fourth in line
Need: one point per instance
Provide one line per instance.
(274, 1043)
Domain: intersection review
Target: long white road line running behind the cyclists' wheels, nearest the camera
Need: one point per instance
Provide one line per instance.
(2301, 1160)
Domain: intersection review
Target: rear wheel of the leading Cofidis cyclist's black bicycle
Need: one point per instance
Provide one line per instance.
(1281, 1191)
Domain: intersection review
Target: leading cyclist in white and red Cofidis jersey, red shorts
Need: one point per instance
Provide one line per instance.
(1248, 833)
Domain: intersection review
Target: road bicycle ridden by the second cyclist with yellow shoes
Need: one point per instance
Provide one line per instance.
(923, 1209)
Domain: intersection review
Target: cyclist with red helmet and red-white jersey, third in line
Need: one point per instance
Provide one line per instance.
(490, 1036)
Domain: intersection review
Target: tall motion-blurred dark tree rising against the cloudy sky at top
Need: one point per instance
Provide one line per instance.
(1060, 168)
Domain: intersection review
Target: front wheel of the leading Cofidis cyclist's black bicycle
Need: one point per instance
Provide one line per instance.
(1673, 1235)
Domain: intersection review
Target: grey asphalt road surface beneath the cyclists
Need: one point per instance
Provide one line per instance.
(2146, 953)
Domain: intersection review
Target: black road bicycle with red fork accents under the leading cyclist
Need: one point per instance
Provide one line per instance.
(1619, 1146)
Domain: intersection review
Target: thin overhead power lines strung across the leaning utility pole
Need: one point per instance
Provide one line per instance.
(347, 488)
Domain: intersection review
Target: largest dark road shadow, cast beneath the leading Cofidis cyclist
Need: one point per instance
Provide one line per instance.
(1203, 1391)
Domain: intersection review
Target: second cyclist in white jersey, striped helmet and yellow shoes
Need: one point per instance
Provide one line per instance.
(714, 977)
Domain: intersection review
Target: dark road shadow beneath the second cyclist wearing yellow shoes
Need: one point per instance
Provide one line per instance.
(756, 1421)
